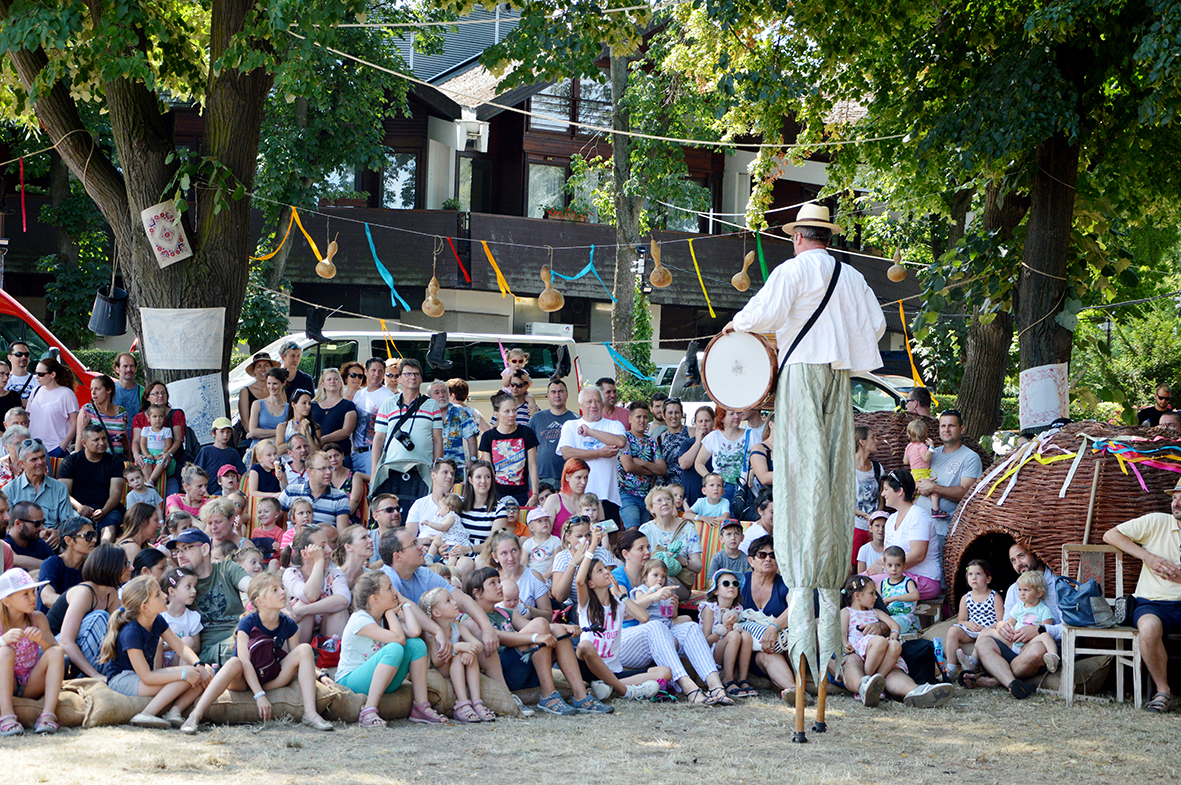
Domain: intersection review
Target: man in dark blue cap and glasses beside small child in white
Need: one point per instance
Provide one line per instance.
(220, 592)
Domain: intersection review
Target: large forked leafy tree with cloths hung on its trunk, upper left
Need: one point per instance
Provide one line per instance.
(136, 61)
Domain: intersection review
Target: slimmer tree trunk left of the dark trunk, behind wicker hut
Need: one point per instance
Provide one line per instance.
(988, 346)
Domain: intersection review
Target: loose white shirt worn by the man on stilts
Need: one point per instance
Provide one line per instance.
(847, 332)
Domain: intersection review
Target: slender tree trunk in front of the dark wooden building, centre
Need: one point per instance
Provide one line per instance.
(628, 214)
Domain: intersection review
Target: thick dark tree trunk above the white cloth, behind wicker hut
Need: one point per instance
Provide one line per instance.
(1042, 290)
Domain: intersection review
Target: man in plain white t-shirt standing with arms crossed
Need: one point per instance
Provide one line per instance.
(598, 442)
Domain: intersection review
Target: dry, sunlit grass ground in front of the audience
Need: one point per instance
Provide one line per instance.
(981, 737)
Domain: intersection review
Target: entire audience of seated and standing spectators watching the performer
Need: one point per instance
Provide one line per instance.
(571, 542)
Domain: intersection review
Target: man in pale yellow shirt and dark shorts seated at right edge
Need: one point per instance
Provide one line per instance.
(1156, 540)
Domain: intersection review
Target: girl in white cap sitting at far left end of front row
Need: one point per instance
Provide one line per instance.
(32, 665)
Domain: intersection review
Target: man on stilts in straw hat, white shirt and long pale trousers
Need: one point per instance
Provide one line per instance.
(827, 323)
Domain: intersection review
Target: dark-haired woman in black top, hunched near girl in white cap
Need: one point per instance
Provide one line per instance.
(79, 619)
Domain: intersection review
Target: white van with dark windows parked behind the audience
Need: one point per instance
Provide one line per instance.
(474, 357)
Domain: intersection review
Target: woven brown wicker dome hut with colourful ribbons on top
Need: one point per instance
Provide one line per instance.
(1034, 515)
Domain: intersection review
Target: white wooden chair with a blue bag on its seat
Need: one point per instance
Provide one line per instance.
(1092, 565)
